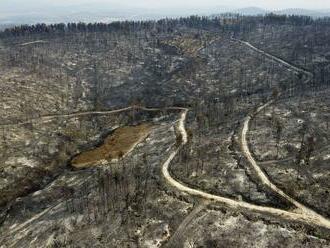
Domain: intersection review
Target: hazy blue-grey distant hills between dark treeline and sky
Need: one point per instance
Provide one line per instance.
(50, 12)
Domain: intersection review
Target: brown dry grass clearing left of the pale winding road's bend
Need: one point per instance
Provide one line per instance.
(115, 146)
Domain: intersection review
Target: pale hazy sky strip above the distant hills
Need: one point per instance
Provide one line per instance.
(268, 4)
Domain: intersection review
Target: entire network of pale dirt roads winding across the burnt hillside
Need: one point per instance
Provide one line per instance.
(303, 214)
